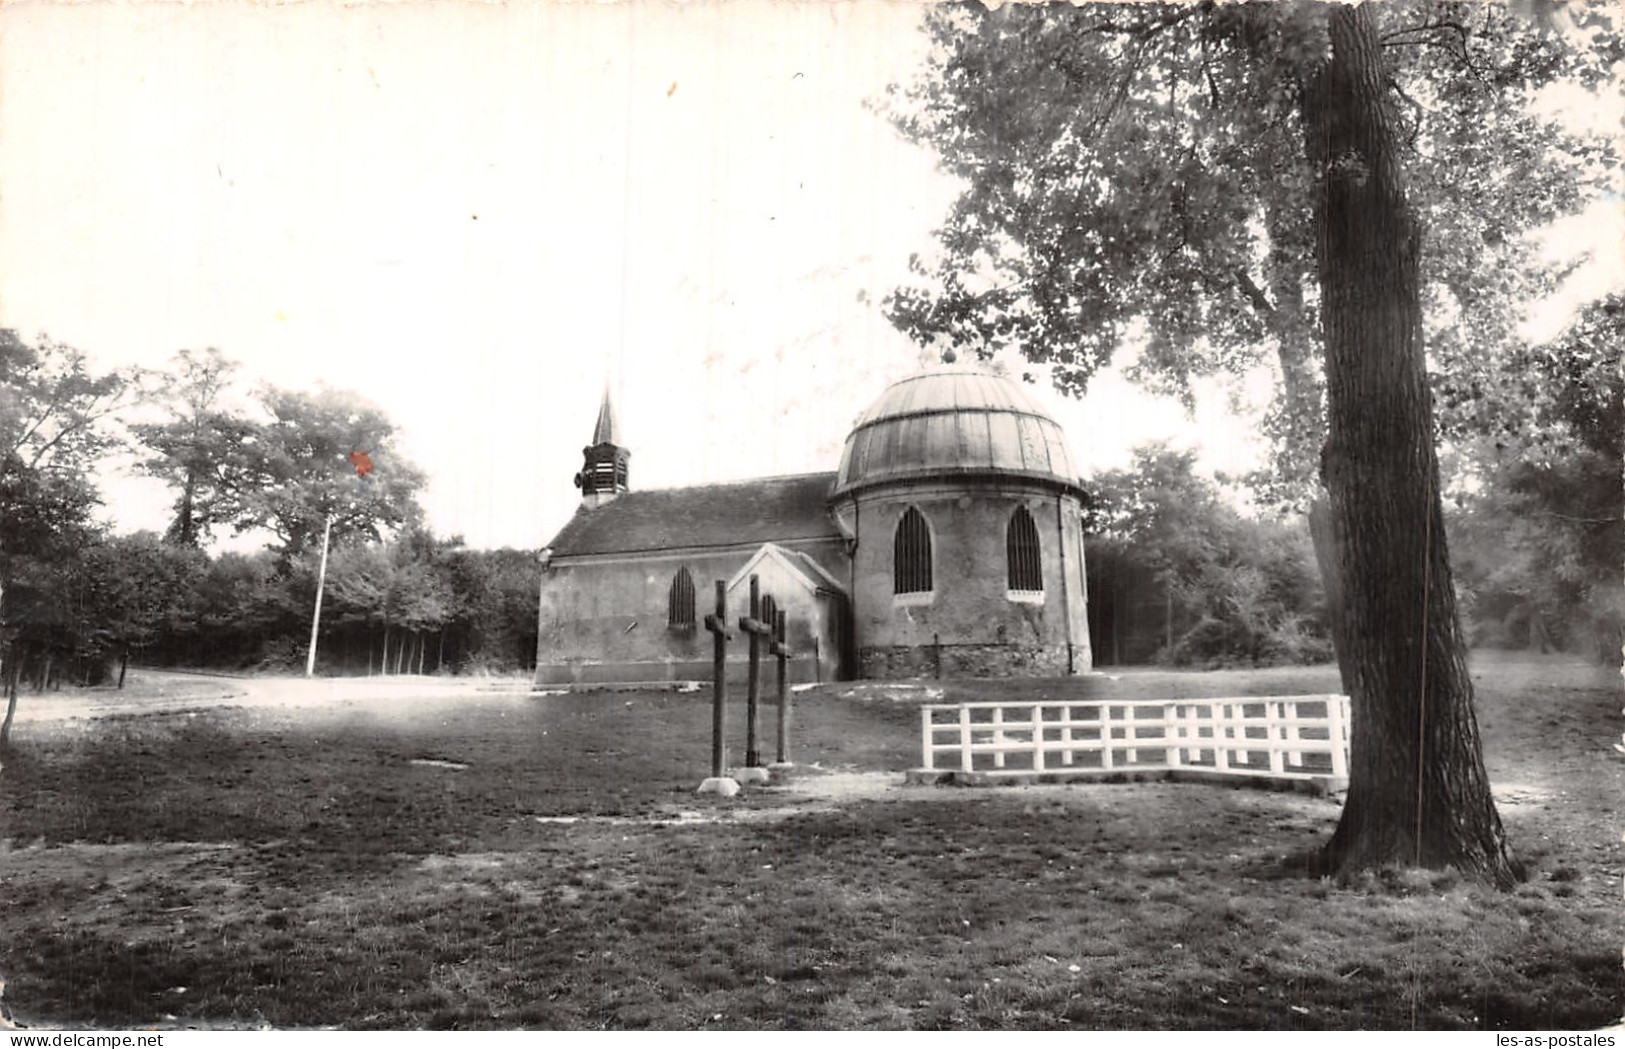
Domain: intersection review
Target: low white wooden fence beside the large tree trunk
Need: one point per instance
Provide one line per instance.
(1291, 738)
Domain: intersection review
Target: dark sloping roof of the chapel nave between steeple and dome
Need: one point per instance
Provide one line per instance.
(704, 516)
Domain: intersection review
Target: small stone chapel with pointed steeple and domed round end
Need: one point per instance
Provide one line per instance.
(948, 543)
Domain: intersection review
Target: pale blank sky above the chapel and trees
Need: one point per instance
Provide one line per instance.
(474, 214)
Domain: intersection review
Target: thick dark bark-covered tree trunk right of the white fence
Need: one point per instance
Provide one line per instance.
(1418, 790)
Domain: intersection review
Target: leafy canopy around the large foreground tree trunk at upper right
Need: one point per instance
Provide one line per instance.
(1137, 175)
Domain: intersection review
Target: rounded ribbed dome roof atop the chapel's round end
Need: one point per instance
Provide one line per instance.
(955, 421)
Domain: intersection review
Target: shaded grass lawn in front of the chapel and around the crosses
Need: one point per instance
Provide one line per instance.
(305, 866)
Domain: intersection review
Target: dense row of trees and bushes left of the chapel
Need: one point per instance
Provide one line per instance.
(77, 603)
